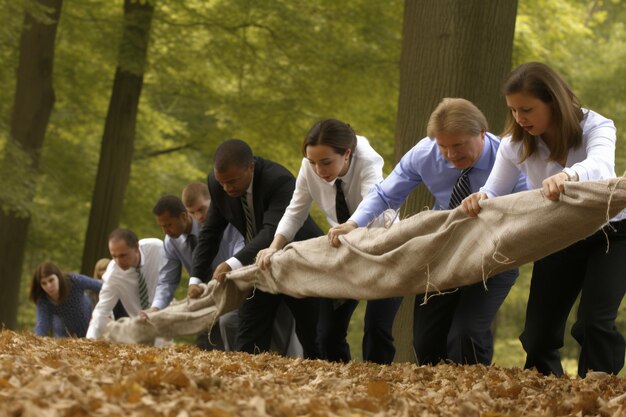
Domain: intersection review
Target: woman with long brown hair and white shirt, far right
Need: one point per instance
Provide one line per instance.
(552, 139)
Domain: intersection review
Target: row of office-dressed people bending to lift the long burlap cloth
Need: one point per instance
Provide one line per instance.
(252, 207)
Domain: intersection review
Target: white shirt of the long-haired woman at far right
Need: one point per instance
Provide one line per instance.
(594, 159)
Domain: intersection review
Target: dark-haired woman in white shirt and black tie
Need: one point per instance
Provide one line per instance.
(338, 166)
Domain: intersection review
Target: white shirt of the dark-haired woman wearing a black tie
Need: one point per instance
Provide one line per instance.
(366, 170)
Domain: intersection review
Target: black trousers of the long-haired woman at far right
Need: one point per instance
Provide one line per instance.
(587, 269)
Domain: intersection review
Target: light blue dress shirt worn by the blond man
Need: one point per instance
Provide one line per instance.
(425, 163)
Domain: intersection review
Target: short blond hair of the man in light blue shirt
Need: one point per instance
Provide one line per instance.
(456, 115)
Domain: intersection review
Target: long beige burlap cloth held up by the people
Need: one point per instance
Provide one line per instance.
(426, 253)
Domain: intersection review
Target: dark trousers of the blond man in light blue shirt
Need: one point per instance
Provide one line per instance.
(456, 325)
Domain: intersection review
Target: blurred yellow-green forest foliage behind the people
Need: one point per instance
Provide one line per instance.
(260, 71)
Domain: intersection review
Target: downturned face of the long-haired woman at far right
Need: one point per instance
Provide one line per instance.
(532, 114)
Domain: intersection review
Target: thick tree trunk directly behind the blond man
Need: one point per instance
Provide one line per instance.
(450, 48)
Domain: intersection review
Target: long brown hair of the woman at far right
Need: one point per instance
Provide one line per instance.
(542, 82)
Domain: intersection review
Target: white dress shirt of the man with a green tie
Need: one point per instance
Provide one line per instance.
(124, 286)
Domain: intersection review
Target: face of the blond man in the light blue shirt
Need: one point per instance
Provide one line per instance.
(461, 149)
